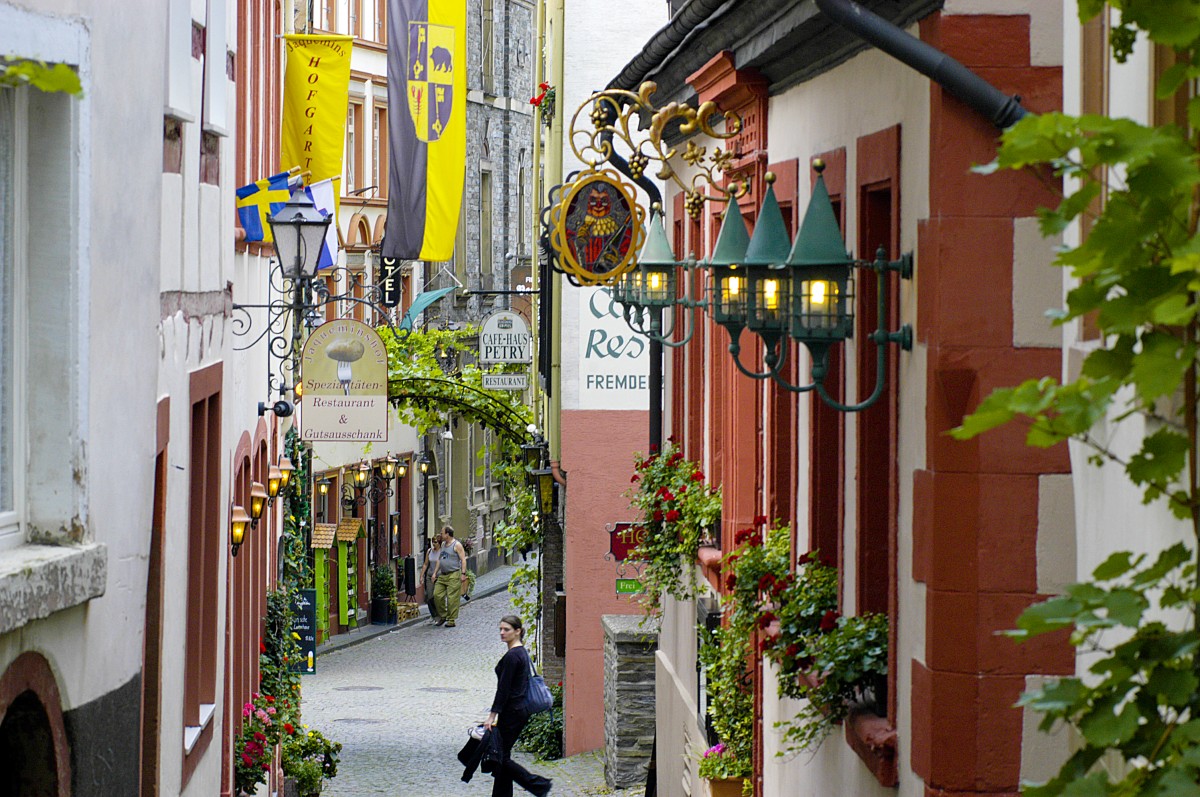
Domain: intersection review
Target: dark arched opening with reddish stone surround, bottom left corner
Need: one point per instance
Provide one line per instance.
(34, 753)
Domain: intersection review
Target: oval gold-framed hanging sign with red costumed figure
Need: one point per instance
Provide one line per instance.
(598, 229)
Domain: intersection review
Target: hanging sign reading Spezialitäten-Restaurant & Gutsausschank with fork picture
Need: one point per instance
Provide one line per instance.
(345, 368)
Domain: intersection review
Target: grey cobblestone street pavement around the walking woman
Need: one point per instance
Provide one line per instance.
(401, 703)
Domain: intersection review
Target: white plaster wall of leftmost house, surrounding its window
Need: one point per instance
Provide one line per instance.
(88, 387)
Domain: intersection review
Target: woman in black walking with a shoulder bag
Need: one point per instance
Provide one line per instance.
(509, 715)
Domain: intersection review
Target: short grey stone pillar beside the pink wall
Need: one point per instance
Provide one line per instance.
(628, 698)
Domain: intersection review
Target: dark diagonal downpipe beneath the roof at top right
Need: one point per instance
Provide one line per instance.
(976, 93)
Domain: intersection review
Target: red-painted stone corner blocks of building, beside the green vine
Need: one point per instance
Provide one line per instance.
(976, 522)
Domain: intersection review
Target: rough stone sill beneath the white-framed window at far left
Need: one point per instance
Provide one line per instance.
(40, 580)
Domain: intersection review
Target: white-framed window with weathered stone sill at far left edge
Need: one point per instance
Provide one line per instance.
(44, 177)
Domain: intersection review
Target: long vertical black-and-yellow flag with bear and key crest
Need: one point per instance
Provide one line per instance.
(428, 97)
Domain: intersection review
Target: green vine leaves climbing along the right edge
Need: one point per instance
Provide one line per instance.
(1137, 274)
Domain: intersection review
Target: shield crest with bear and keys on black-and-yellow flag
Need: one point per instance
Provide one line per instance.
(430, 76)
